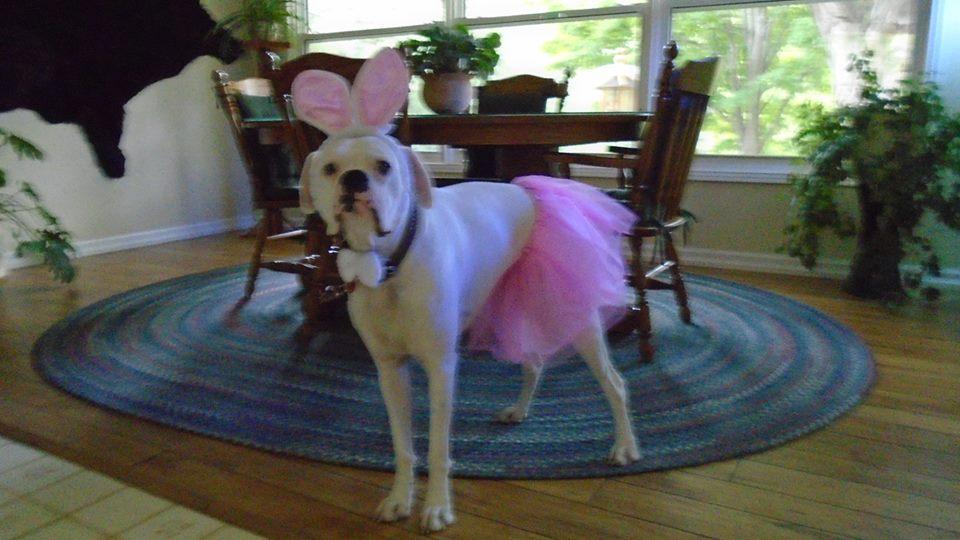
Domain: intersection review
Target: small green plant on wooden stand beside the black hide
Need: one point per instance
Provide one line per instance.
(262, 23)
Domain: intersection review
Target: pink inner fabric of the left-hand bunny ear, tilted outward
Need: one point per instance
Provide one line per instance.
(322, 99)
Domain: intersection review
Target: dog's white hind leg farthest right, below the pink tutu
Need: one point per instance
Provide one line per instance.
(592, 346)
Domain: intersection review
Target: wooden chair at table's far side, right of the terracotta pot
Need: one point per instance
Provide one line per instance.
(518, 94)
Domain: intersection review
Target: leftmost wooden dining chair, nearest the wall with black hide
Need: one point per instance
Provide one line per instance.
(268, 156)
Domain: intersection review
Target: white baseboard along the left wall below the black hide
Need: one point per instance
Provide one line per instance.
(146, 238)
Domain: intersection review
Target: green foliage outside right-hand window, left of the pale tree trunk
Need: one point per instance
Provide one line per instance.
(755, 107)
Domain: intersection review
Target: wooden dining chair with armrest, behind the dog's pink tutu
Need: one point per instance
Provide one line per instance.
(658, 177)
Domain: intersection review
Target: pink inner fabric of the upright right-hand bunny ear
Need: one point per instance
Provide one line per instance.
(381, 88)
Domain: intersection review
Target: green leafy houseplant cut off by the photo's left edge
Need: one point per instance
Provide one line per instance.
(35, 230)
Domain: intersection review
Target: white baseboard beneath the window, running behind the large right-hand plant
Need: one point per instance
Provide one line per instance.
(775, 263)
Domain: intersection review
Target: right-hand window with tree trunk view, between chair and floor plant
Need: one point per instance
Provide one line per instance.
(777, 57)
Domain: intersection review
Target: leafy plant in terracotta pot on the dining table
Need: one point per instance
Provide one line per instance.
(446, 58)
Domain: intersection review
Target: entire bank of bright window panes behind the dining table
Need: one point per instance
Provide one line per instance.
(775, 55)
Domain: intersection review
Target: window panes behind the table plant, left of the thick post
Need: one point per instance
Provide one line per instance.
(597, 41)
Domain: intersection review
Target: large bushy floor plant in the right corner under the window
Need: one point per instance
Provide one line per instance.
(901, 150)
